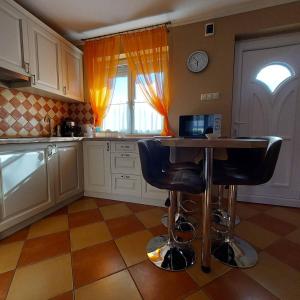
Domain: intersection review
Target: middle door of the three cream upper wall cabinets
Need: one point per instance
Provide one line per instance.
(45, 59)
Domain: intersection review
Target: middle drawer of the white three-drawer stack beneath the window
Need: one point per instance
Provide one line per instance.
(126, 163)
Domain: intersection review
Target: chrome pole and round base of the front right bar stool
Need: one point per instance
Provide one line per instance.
(234, 251)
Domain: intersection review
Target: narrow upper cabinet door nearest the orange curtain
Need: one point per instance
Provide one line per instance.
(72, 73)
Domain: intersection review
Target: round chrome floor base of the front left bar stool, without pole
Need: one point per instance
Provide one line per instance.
(168, 256)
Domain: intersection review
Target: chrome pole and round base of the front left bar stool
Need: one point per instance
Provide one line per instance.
(165, 252)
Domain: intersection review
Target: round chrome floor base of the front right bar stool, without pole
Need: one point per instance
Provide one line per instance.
(235, 252)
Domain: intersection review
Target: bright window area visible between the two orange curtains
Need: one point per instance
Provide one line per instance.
(129, 111)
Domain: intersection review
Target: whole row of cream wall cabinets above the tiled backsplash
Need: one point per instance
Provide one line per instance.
(30, 47)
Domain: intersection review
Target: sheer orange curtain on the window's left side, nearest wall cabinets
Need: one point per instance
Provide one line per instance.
(101, 59)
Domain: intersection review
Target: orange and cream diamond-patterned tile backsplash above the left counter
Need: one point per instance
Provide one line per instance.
(22, 114)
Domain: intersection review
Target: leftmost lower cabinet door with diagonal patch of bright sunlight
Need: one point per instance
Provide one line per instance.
(26, 187)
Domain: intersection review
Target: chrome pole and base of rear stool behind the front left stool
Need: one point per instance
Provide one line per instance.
(182, 221)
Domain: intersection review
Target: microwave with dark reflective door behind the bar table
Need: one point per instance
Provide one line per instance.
(196, 126)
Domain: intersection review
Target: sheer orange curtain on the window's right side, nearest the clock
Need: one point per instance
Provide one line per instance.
(147, 53)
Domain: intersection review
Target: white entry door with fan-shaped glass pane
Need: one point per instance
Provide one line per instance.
(267, 102)
